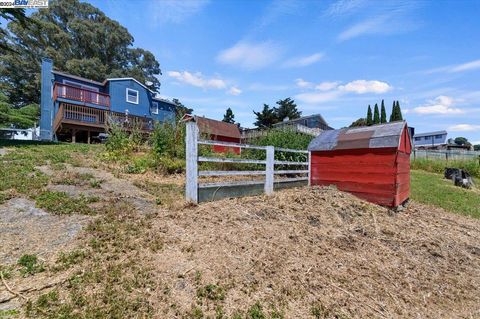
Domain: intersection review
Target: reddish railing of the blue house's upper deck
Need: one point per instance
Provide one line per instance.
(79, 94)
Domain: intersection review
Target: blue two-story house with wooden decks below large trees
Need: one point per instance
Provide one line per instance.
(78, 109)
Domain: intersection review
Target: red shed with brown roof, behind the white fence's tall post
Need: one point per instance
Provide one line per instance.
(217, 131)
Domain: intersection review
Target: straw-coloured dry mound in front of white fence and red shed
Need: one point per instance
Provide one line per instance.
(317, 252)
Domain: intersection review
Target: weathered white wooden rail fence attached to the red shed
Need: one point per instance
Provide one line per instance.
(193, 187)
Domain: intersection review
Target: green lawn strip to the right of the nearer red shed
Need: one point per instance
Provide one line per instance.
(433, 189)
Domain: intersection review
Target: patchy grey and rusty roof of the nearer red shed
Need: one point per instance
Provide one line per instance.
(375, 136)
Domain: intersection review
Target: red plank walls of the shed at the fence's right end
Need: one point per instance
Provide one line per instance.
(379, 175)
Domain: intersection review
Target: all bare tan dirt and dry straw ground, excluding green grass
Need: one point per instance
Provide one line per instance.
(301, 253)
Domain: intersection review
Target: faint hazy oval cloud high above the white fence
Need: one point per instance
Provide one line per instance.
(251, 56)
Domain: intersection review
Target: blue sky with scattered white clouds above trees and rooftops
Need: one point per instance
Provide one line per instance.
(331, 57)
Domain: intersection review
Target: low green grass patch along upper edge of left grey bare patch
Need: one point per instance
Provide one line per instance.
(61, 203)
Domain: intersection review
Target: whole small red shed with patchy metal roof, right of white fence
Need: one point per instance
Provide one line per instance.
(371, 162)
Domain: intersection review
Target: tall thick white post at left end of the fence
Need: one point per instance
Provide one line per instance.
(191, 190)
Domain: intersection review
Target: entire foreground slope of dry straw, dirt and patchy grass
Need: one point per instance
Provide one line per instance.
(118, 245)
